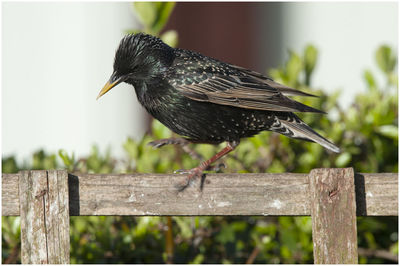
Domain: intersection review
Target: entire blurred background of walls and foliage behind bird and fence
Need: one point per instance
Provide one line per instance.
(56, 56)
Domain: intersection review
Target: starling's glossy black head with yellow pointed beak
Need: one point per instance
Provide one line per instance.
(139, 57)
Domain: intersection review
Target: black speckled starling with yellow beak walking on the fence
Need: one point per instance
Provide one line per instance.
(205, 100)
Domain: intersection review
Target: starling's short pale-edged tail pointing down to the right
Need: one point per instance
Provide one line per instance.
(296, 128)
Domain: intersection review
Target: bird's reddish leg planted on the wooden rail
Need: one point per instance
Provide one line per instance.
(198, 171)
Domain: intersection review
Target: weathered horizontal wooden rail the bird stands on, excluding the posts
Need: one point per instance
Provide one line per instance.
(223, 194)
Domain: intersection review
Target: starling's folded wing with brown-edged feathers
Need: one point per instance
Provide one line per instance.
(241, 88)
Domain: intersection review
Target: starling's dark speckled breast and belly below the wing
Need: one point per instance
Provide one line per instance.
(202, 121)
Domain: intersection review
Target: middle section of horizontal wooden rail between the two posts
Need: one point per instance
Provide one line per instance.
(223, 194)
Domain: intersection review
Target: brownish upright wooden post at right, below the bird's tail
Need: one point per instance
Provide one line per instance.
(333, 212)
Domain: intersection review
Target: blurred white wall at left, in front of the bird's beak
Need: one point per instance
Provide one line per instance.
(55, 59)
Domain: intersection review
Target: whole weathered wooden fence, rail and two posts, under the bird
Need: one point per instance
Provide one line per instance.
(333, 198)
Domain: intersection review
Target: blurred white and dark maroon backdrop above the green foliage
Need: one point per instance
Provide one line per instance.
(57, 56)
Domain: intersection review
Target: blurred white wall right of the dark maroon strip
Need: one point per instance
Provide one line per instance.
(347, 36)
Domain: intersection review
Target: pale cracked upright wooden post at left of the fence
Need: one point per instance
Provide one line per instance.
(44, 211)
